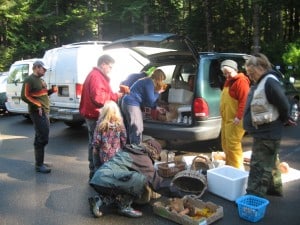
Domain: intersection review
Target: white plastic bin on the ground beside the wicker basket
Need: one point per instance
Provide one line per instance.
(227, 182)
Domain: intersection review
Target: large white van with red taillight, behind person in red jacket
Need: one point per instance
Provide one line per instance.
(68, 67)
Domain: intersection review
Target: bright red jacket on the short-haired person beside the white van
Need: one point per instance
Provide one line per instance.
(96, 91)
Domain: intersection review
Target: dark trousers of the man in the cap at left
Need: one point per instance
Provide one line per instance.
(41, 126)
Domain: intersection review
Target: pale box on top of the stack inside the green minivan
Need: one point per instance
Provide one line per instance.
(181, 96)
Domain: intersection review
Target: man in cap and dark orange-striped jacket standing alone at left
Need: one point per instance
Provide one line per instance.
(36, 95)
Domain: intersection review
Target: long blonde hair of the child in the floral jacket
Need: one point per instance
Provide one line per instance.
(110, 114)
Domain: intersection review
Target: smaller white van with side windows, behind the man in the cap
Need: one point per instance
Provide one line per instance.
(18, 71)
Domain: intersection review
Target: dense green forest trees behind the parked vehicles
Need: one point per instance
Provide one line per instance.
(29, 27)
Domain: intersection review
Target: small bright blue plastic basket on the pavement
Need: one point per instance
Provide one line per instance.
(252, 208)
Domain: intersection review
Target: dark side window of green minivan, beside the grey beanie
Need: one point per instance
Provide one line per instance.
(216, 78)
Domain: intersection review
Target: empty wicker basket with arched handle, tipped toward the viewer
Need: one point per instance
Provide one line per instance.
(191, 181)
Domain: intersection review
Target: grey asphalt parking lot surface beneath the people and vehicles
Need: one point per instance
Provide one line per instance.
(60, 198)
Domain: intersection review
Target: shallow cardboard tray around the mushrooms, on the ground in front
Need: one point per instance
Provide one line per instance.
(160, 208)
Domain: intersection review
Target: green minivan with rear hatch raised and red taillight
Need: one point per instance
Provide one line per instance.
(192, 112)
